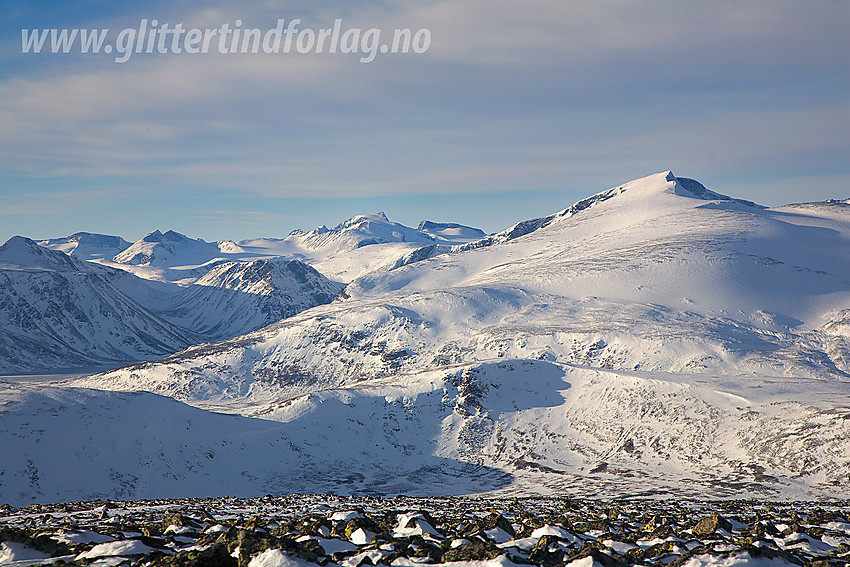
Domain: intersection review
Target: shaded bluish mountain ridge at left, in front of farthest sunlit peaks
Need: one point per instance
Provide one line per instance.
(61, 313)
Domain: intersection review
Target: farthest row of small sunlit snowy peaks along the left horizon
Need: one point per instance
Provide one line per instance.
(359, 245)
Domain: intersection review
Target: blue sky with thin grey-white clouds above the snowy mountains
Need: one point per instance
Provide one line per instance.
(515, 110)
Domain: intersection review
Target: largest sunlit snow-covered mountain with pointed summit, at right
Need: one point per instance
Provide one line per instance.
(652, 277)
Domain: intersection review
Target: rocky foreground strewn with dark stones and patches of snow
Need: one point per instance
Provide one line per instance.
(300, 530)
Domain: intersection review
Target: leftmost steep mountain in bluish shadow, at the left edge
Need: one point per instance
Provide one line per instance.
(57, 312)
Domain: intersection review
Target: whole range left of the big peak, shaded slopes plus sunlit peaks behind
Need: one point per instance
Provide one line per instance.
(91, 300)
